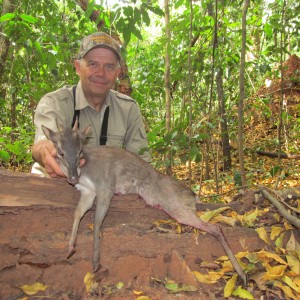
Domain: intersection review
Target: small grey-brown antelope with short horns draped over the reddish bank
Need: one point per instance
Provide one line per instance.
(110, 170)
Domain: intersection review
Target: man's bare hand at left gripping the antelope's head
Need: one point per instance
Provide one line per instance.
(45, 154)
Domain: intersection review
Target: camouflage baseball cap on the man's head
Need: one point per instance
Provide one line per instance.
(99, 40)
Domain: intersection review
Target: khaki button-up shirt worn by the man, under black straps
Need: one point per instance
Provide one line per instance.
(125, 124)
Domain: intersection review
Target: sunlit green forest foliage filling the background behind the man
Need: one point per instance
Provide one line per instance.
(40, 41)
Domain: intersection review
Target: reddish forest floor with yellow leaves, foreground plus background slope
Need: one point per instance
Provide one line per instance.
(144, 254)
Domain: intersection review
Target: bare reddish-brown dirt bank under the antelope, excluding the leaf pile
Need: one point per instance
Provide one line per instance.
(36, 216)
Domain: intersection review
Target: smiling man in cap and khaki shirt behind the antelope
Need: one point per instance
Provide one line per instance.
(115, 118)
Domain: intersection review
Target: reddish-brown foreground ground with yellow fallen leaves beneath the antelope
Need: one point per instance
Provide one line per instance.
(144, 254)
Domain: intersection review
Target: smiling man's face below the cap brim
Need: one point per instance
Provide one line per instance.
(98, 71)
